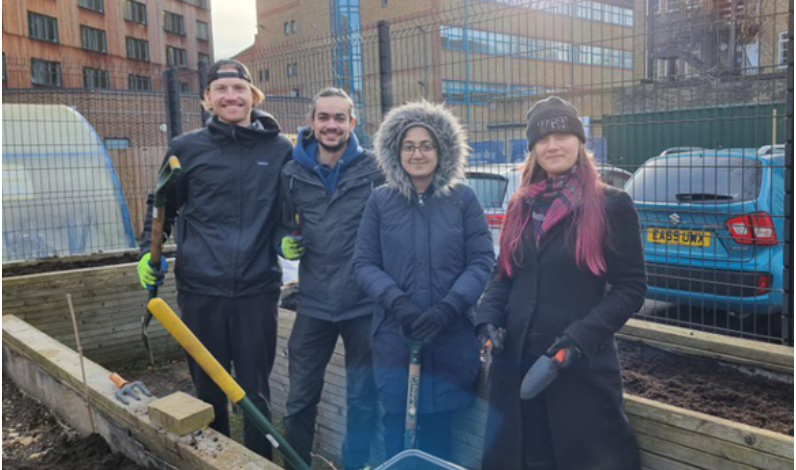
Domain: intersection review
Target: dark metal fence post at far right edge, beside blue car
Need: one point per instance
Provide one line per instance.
(787, 309)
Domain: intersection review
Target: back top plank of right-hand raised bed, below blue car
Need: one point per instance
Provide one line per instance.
(762, 353)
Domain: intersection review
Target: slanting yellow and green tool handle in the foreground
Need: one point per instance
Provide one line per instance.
(221, 377)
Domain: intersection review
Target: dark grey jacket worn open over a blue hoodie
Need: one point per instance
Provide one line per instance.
(329, 223)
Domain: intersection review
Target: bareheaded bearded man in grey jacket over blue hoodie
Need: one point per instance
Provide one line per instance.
(324, 192)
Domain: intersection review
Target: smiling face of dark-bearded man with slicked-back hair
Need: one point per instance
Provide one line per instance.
(332, 123)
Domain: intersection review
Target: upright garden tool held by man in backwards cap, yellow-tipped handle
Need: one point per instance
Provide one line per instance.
(166, 178)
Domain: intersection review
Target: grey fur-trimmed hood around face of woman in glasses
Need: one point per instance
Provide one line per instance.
(451, 137)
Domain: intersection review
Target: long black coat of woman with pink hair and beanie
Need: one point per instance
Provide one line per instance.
(547, 297)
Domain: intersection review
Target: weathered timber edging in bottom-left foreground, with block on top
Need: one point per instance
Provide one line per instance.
(50, 372)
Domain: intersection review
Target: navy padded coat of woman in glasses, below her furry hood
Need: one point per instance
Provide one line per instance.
(435, 248)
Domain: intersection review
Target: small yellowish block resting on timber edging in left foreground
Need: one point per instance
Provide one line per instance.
(180, 413)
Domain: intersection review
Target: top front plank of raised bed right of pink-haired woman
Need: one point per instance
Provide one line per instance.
(769, 442)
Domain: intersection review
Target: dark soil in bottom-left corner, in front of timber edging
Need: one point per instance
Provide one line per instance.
(34, 439)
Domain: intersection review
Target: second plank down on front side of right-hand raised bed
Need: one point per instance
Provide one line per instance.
(711, 445)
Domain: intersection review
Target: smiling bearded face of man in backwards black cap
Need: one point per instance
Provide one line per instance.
(231, 99)
